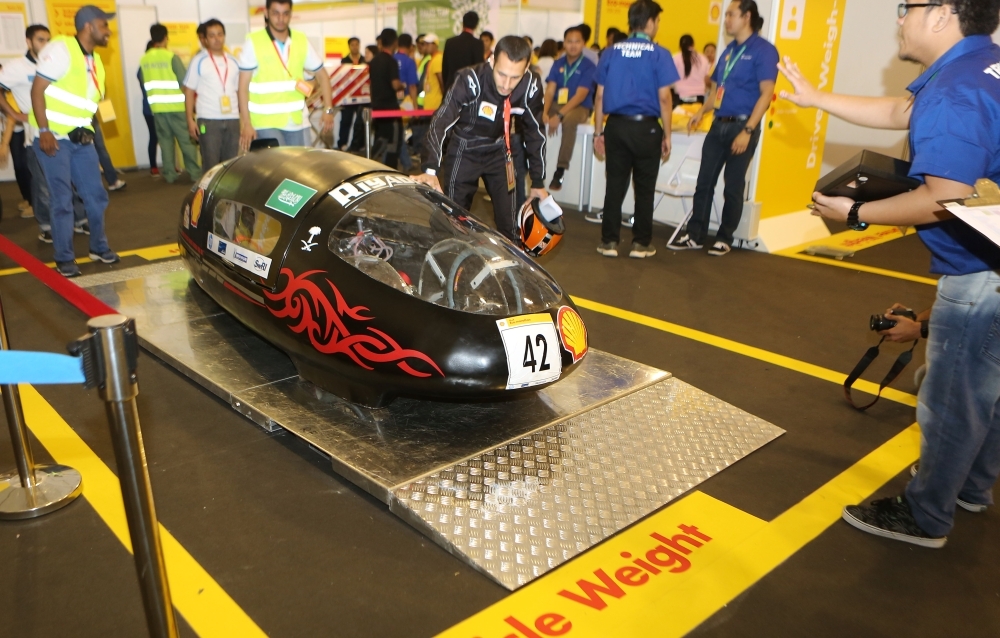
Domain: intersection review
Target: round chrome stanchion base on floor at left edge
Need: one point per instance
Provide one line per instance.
(55, 487)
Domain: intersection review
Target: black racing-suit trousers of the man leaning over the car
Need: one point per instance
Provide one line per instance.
(468, 160)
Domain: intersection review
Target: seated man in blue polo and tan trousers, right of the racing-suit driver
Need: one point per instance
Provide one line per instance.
(569, 97)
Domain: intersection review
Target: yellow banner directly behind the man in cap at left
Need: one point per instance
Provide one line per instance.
(118, 133)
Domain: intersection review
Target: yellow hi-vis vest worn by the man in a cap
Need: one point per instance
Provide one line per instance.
(67, 102)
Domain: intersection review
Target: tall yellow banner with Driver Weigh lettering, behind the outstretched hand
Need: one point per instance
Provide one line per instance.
(792, 154)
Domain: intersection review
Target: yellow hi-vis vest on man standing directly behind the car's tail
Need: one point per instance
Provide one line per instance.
(273, 98)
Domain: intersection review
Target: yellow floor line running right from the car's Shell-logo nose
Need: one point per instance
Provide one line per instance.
(750, 351)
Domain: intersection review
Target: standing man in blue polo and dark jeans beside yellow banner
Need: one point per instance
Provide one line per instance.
(742, 88)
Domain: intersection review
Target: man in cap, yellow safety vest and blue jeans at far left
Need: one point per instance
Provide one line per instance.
(68, 86)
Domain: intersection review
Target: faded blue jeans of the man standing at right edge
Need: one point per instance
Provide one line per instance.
(959, 402)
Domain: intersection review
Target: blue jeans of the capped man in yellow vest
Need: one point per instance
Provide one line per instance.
(74, 166)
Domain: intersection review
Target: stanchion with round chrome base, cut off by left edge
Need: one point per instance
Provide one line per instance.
(32, 490)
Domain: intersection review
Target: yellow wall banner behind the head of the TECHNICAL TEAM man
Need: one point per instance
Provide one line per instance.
(697, 18)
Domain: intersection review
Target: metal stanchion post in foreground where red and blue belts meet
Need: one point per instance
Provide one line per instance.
(110, 355)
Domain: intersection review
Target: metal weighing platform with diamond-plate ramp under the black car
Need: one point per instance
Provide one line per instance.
(516, 487)
